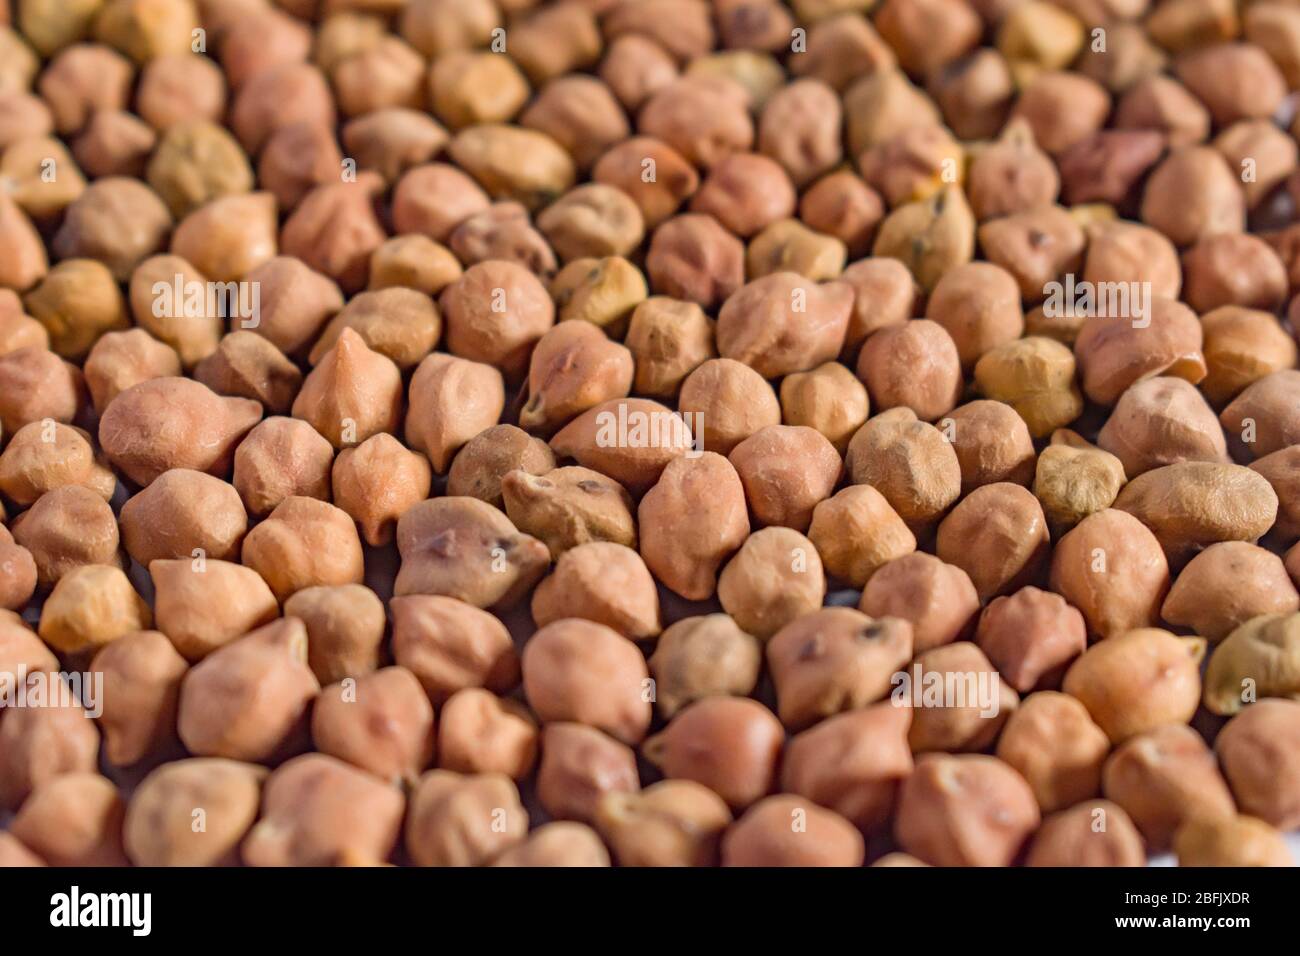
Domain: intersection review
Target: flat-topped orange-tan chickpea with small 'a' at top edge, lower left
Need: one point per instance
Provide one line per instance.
(205, 605)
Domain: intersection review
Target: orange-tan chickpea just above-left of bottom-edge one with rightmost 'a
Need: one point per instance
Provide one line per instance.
(1054, 743)
